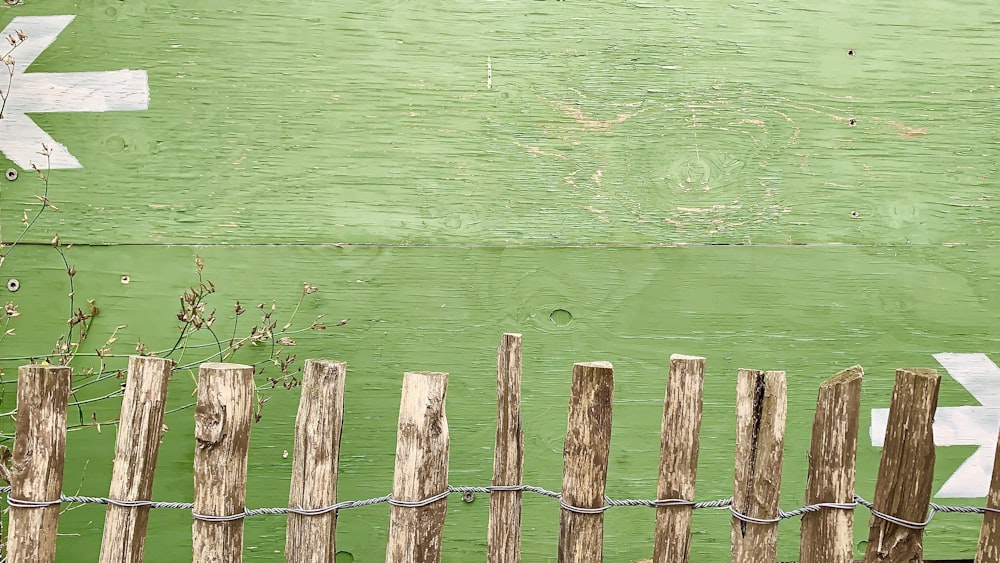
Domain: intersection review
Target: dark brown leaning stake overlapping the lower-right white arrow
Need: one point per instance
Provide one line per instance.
(906, 471)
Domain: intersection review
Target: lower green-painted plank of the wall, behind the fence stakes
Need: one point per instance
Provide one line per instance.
(806, 310)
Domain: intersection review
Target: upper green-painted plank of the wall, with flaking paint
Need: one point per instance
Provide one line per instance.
(637, 122)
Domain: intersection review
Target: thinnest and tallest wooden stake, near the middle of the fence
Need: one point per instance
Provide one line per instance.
(503, 538)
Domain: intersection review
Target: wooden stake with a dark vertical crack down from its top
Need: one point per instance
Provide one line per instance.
(761, 408)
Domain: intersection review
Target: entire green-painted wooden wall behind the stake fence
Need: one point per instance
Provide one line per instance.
(766, 184)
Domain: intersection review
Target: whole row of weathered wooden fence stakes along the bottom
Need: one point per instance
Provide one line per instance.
(420, 487)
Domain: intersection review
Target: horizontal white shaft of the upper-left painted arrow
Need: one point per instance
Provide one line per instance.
(80, 91)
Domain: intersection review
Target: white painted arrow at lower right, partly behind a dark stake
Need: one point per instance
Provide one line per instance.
(963, 426)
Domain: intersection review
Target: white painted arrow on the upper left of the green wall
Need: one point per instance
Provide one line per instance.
(40, 92)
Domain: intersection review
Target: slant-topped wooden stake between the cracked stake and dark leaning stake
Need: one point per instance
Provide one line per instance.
(828, 534)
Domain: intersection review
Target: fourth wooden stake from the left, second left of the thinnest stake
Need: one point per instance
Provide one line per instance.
(318, 427)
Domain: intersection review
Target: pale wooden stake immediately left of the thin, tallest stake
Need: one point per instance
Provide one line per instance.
(421, 470)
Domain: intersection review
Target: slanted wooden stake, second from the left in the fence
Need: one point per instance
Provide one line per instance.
(139, 428)
